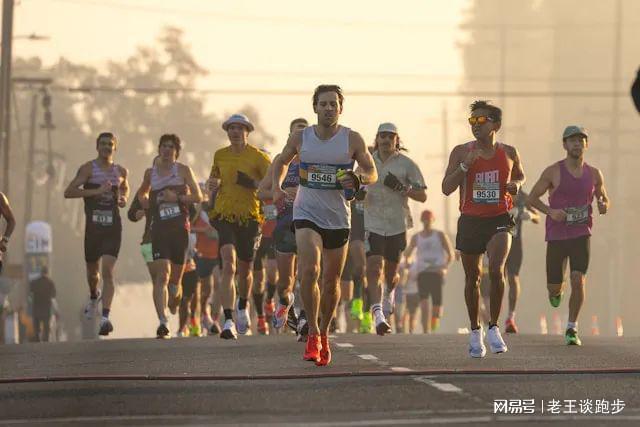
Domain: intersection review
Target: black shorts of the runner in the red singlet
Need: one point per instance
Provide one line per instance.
(474, 233)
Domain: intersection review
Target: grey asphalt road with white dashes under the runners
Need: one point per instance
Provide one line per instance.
(393, 380)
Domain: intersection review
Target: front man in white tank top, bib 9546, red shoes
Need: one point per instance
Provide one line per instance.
(321, 213)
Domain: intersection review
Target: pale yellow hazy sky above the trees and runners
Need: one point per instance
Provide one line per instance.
(292, 45)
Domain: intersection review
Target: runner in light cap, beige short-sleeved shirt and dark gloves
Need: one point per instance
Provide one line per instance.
(387, 218)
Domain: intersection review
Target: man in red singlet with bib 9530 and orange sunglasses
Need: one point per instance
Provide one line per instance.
(488, 173)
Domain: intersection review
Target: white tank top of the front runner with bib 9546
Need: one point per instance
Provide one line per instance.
(319, 199)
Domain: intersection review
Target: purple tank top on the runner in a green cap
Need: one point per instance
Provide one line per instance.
(574, 196)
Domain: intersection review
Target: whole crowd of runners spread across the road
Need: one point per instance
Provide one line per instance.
(320, 231)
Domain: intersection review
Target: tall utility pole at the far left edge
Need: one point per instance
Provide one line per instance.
(5, 88)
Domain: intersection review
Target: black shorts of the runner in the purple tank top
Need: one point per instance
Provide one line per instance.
(577, 251)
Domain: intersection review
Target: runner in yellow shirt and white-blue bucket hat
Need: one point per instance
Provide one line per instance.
(237, 169)
